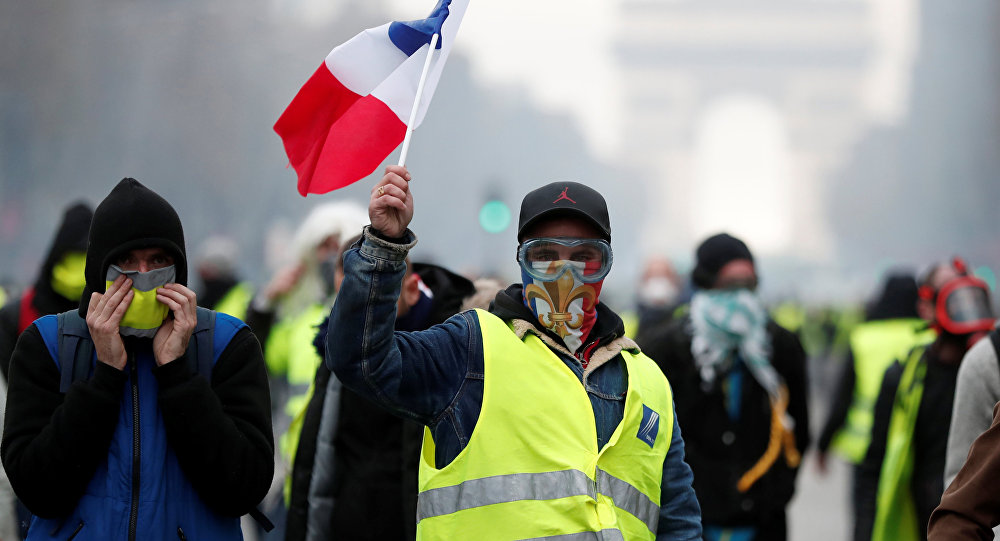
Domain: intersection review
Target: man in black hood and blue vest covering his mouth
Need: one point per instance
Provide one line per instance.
(137, 415)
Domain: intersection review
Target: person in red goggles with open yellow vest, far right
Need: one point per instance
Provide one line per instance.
(901, 478)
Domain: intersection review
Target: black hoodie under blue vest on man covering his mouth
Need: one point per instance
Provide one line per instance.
(218, 428)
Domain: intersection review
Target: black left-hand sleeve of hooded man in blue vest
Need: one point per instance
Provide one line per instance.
(54, 442)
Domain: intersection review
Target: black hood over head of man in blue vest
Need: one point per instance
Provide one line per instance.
(131, 216)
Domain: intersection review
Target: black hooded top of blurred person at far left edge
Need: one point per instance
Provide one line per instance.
(71, 236)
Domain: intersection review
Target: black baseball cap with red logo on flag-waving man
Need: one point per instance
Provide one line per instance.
(570, 199)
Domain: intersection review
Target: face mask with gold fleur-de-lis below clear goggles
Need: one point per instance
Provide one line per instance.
(565, 305)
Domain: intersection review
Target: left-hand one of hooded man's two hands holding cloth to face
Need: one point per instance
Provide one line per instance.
(104, 315)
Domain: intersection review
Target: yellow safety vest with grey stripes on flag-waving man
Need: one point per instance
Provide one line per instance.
(532, 468)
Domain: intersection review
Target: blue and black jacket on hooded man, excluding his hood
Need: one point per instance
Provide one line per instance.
(76, 459)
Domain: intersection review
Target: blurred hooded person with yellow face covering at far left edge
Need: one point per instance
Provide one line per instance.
(58, 285)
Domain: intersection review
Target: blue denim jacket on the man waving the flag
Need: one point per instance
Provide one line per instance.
(436, 376)
